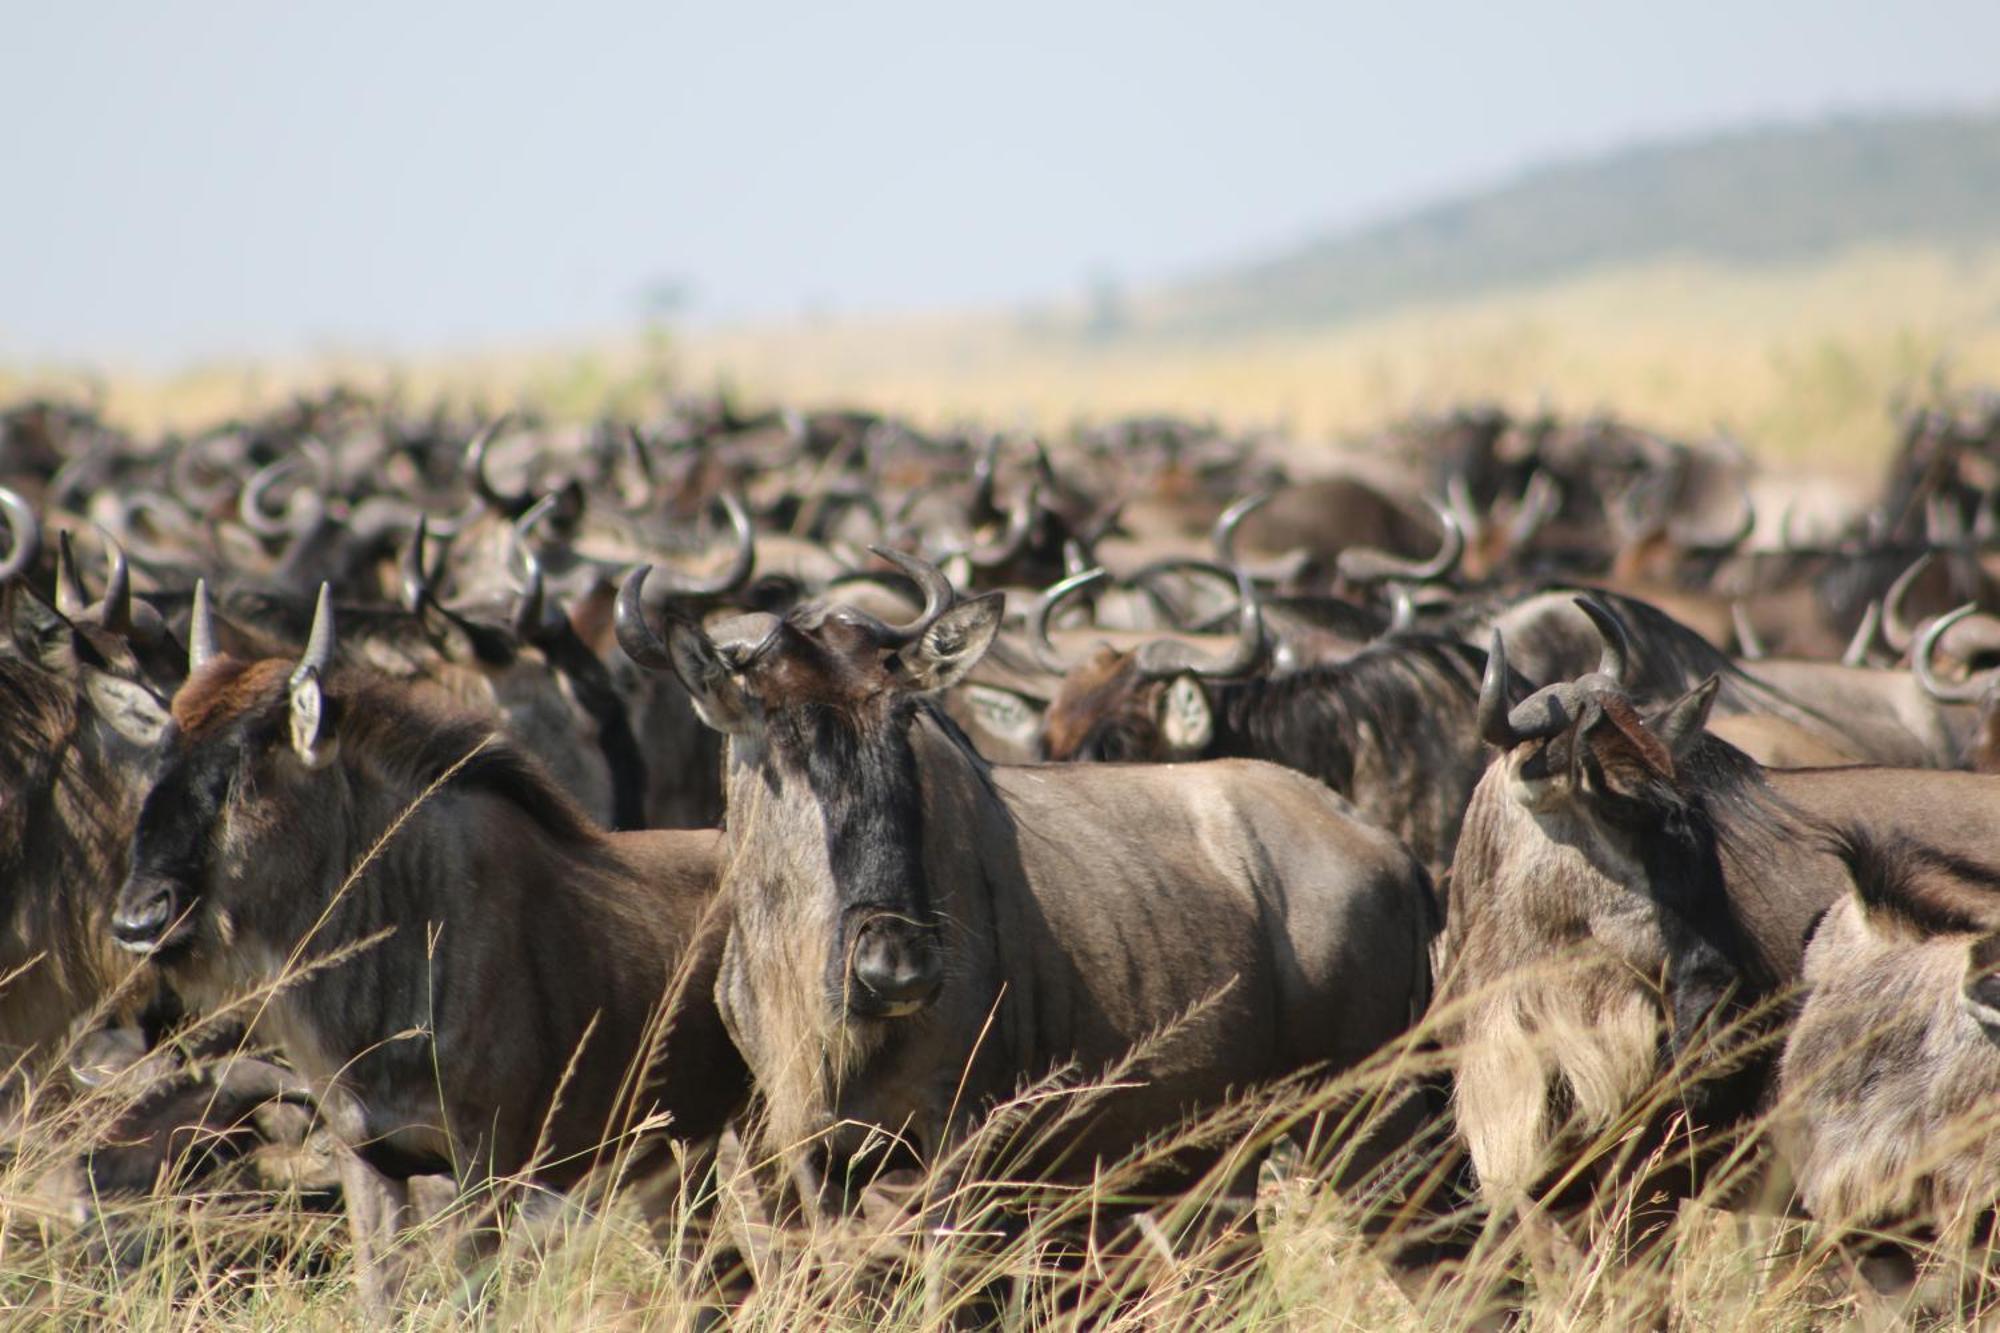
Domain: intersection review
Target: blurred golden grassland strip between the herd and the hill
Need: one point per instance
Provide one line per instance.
(1797, 361)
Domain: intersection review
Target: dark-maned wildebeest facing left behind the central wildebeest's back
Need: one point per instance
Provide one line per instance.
(1391, 728)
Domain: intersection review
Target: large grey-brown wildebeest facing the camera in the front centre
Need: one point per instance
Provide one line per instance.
(917, 932)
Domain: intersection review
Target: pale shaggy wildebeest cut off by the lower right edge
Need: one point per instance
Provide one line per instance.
(1891, 1078)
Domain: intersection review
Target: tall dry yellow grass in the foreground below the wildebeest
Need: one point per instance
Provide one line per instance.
(1261, 1240)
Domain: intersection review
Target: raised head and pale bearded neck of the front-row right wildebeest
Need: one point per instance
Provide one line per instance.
(1595, 848)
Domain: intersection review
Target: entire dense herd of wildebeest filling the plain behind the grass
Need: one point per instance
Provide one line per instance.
(575, 802)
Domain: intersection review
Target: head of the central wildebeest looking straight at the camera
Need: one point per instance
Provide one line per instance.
(817, 708)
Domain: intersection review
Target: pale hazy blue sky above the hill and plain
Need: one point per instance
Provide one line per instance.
(187, 179)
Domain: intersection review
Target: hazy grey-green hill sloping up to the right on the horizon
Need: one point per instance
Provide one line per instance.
(1751, 197)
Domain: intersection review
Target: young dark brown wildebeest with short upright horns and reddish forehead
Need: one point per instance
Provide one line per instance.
(301, 812)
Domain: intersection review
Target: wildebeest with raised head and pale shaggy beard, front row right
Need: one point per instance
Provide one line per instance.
(1627, 888)
